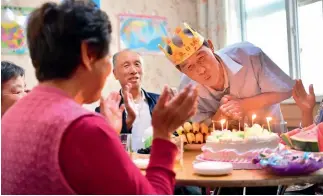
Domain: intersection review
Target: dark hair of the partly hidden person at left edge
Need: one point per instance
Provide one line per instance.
(10, 70)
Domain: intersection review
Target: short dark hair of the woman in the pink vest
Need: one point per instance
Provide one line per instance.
(55, 33)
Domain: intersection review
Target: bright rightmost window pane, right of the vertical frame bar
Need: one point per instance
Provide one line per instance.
(310, 27)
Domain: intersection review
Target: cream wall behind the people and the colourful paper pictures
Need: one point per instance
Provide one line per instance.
(158, 70)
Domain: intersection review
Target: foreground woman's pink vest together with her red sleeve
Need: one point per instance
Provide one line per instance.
(51, 145)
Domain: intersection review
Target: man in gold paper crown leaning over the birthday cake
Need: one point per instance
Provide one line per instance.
(239, 79)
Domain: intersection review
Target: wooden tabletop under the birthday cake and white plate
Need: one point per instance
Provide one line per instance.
(238, 178)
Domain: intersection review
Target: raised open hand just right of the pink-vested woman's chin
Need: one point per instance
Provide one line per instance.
(111, 110)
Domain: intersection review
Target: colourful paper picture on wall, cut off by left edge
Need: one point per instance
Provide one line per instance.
(13, 25)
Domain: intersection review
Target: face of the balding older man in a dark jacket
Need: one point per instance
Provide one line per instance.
(128, 68)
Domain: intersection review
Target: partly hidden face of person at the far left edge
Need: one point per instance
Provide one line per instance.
(12, 90)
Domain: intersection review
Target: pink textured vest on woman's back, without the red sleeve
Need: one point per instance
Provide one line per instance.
(31, 134)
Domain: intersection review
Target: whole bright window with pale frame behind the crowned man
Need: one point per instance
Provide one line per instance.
(290, 32)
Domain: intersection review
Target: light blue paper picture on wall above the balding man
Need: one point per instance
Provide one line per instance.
(141, 33)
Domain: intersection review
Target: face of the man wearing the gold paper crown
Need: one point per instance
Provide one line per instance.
(202, 67)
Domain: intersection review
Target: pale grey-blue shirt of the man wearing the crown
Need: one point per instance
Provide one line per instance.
(250, 73)
